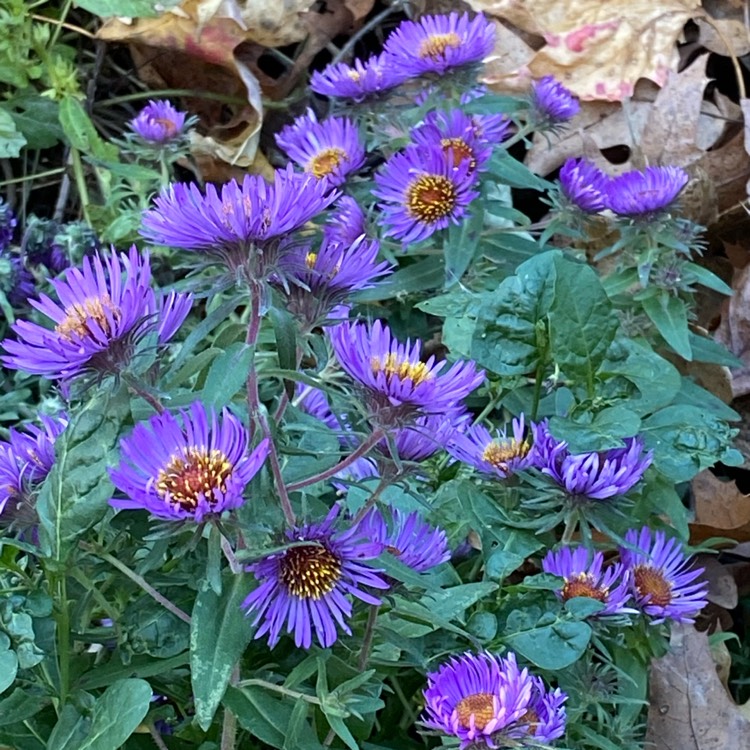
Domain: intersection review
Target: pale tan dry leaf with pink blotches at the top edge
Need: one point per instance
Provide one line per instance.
(600, 49)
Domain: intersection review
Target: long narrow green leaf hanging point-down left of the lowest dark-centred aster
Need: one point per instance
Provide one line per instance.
(219, 633)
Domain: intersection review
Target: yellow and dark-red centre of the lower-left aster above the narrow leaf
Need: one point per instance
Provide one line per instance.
(197, 472)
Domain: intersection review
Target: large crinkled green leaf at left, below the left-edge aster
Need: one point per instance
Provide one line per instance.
(75, 494)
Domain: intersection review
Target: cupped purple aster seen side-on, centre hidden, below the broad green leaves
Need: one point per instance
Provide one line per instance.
(596, 476)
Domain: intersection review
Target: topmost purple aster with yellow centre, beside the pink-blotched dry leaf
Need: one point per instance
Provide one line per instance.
(440, 43)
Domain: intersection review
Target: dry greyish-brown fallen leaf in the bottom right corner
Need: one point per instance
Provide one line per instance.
(689, 708)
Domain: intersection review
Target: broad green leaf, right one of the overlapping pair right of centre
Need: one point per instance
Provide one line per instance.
(582, 324)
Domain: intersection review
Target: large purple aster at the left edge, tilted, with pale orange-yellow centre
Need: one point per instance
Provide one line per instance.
(98, 321)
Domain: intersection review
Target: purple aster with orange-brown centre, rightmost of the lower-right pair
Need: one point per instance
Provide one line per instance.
(662, 579)
